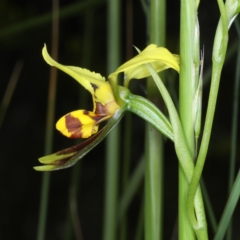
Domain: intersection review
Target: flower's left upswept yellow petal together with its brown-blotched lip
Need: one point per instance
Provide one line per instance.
(83, 123)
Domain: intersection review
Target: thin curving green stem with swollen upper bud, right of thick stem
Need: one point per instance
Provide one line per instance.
(219, 53)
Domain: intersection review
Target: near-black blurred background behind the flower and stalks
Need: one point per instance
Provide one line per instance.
(24, 28)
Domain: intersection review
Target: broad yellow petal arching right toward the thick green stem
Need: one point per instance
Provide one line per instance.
(159, 57)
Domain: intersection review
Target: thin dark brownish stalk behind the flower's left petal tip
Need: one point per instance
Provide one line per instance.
(50, 125)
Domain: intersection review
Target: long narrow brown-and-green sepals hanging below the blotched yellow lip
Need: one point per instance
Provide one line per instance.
(68, 157)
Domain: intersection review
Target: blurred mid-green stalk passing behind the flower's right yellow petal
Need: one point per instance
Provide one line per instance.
(153, 139)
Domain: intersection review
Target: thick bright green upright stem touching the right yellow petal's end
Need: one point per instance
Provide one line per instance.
(186, 94)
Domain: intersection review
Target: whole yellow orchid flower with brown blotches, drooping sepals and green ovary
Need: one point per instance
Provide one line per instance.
(110, 101)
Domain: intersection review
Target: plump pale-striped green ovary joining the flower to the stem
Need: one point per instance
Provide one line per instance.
(150, 113)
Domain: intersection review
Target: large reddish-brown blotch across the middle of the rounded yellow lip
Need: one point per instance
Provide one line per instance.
(73, 125)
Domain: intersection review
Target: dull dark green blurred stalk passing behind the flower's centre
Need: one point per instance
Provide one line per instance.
(112, 150)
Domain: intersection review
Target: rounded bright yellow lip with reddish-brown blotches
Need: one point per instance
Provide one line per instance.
(80, 123)
